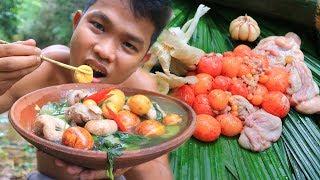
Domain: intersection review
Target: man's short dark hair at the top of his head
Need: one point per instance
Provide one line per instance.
(157, 11)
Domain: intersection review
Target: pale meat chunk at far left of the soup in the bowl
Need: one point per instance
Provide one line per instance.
(50, 127)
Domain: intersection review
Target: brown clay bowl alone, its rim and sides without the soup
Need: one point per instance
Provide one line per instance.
(22, 116)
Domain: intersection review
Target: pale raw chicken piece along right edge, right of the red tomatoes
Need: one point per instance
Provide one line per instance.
(308, 88)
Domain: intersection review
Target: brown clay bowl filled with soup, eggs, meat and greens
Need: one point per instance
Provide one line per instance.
(150, 123)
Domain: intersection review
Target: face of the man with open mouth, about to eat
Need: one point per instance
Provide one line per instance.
(111, 40)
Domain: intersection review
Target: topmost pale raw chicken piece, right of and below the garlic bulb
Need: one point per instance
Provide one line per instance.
(278, 48)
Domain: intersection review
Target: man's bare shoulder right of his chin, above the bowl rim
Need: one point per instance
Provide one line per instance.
(141, 80)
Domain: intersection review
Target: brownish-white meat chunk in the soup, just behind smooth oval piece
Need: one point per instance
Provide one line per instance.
(80, 113)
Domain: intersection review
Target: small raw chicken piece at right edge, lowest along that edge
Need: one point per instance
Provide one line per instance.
(310, 106)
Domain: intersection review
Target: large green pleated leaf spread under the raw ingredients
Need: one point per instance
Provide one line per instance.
(296, 155)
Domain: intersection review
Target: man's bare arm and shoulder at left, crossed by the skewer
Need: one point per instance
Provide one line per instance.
(45, 75)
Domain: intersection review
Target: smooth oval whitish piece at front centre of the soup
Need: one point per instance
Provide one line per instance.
(101, 127)
